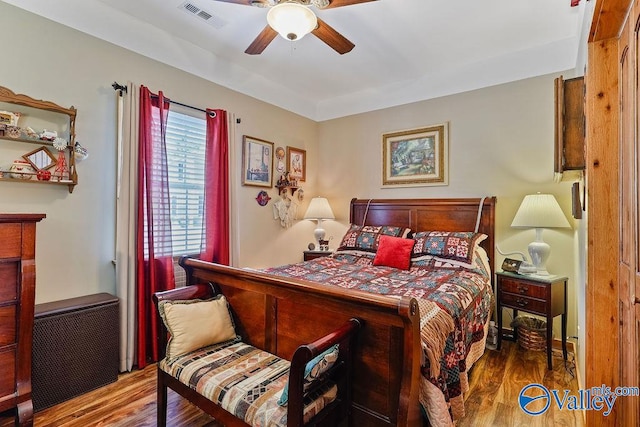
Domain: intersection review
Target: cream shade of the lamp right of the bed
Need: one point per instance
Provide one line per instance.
(540, 211)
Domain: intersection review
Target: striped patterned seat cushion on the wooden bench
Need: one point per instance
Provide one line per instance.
(244, 380)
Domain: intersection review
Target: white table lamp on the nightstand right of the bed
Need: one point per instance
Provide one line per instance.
(539, 211)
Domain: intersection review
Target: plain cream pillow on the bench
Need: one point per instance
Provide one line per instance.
(194, 324)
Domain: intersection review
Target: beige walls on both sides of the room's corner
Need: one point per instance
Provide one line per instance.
(500, 143)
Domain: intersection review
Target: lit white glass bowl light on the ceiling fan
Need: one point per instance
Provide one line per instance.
(292, 20)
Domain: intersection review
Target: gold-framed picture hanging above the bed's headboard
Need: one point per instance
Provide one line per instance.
(415, 157)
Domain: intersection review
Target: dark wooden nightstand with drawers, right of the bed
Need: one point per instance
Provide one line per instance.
(542, 295)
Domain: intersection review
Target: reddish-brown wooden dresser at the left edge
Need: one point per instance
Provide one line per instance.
(17, 300)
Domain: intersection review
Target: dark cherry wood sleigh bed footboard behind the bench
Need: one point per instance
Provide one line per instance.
(278, 315)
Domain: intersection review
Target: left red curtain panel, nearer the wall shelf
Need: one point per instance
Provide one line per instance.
(153, 243)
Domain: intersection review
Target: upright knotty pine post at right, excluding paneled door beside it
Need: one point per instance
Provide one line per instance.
(602, 317)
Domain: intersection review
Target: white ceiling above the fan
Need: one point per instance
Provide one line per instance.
(406, 50)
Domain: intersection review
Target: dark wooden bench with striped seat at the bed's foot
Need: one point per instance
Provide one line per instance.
(331, 406)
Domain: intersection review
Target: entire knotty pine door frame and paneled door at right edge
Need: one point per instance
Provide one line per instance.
(612, 110)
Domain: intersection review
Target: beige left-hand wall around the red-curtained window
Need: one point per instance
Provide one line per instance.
(75, 243)
